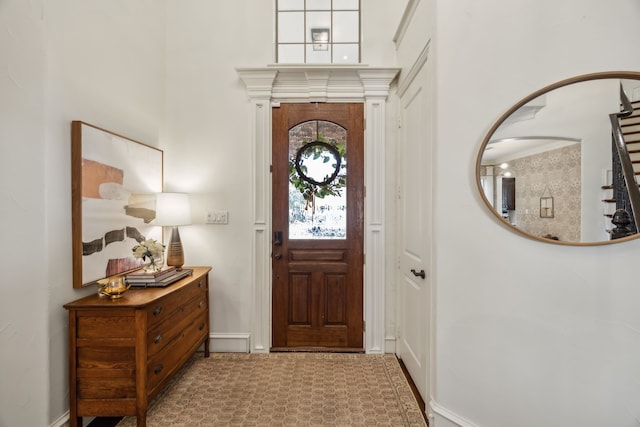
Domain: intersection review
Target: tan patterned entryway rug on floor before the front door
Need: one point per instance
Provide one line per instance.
(286, 389)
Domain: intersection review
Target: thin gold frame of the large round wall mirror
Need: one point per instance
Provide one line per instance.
(631, 75)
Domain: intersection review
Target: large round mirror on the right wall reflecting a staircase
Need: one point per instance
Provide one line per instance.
(555, 166)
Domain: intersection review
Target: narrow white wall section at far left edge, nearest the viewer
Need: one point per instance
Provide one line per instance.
(23, 252)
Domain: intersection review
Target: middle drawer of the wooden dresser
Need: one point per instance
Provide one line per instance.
(162, 334)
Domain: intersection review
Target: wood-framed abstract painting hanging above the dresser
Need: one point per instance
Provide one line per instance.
(114, 180)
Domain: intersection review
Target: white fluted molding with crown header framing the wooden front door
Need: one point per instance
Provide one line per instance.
(269, 86)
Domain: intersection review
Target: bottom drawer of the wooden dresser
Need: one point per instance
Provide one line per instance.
(171, 357)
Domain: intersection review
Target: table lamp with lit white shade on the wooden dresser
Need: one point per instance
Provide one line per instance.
(172, 210)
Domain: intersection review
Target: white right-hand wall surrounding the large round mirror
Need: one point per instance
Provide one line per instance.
(533, 334)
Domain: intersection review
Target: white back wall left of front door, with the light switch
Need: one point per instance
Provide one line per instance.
(207, 140)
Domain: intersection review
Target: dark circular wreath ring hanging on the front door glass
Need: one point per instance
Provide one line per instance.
(318, 163)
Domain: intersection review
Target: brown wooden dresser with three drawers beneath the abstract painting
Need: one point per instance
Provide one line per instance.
(123, 351)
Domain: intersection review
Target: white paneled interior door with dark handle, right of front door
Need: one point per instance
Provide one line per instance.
(414, 234)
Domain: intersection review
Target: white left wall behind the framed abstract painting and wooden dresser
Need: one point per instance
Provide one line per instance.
(80, 60)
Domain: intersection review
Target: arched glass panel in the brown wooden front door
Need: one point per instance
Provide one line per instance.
(317, 181)
